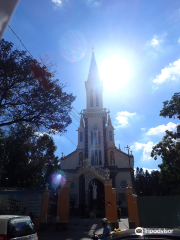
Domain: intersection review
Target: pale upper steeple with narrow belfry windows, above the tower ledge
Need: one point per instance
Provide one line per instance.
(94, 87)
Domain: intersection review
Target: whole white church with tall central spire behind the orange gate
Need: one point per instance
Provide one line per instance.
(96, 147)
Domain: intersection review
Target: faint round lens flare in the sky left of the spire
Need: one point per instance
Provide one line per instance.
(73, 46)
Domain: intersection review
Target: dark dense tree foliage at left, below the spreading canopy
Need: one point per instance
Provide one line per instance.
(27, 158)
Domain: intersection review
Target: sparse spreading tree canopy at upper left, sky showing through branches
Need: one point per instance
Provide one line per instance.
(29, 93)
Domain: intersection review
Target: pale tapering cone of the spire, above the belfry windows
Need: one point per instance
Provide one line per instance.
(93, 70)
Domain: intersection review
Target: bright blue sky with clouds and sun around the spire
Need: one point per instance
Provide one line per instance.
(136, 43)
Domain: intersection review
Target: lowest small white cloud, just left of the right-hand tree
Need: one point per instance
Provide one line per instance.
(146, 147)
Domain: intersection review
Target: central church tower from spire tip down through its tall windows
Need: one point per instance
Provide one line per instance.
(95, 118)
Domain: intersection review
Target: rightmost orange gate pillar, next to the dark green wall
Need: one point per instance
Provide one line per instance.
(133, 216)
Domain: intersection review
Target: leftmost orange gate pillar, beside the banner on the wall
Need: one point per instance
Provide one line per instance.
(44, 209)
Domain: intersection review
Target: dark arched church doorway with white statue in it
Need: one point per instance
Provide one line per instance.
(97, 204)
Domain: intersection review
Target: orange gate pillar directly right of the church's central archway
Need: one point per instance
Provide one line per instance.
(110, 204)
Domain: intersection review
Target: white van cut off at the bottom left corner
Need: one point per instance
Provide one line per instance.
(17, 227)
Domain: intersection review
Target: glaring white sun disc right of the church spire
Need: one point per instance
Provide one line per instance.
(114, 72)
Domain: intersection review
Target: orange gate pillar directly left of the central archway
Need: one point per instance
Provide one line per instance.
(63, 208)
